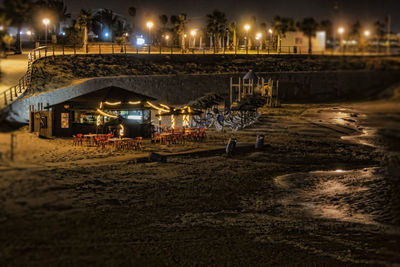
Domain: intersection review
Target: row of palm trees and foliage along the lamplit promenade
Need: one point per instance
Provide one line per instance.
(217, 32)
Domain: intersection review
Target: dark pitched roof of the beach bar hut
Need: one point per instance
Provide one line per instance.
(111, 94)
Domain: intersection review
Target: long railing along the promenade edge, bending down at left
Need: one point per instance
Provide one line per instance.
(17, 91)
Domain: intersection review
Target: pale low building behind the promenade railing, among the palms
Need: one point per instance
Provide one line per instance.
(298, 42)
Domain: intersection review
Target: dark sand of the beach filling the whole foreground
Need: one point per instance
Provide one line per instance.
(323, 191)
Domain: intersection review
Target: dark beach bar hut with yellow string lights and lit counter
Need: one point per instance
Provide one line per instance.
(107, 110)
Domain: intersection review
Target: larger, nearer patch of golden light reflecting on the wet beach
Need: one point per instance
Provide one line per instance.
(334, 194)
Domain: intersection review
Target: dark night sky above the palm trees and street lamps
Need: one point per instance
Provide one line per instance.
(367, 11)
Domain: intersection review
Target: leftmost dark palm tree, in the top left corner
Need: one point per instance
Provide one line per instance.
(18, 12)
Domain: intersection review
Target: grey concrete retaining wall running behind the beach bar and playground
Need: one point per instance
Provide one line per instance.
(180, 89)
